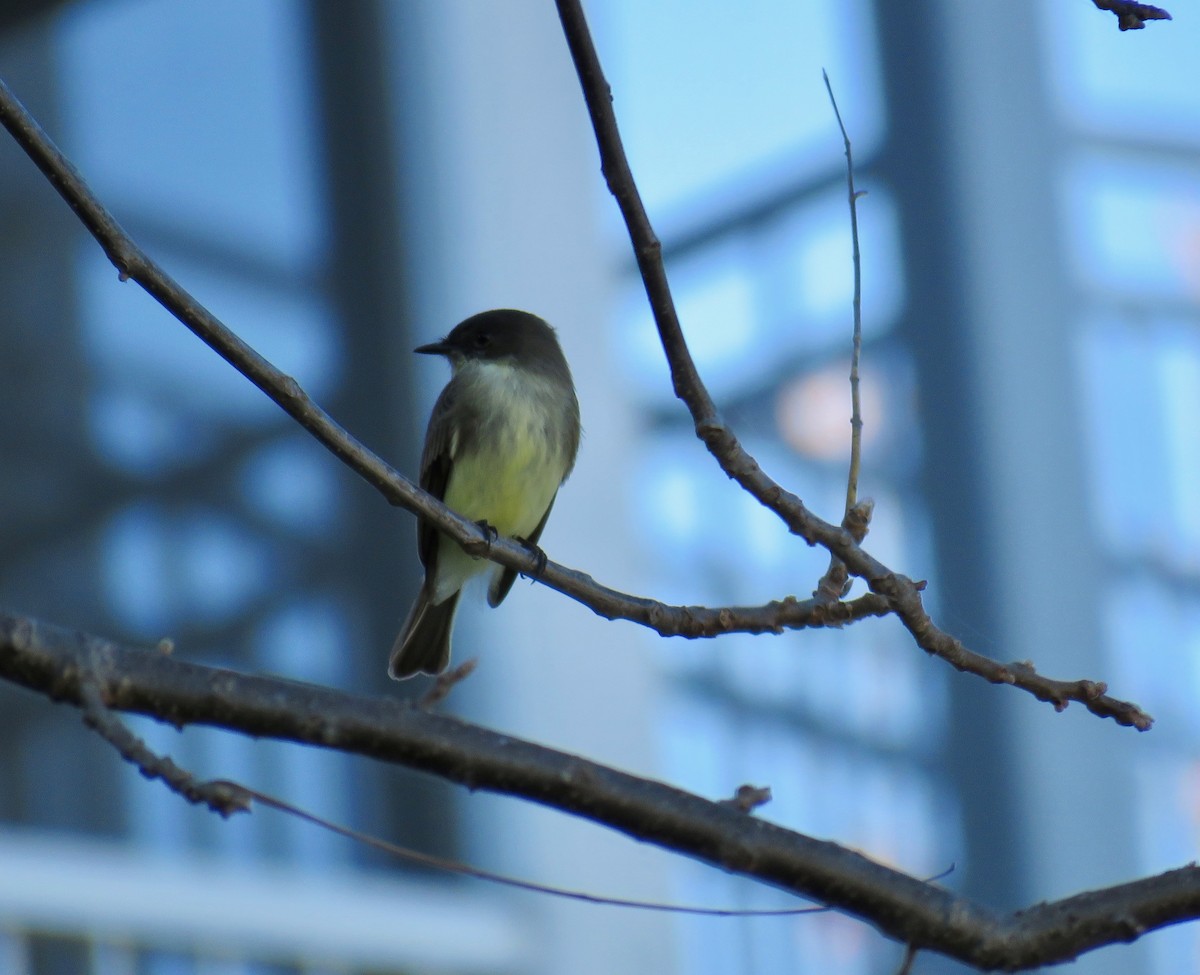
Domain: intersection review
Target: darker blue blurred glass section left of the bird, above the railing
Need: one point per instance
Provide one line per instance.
(223, 513)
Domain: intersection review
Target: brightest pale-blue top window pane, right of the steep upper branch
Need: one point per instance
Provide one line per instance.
(705, 133)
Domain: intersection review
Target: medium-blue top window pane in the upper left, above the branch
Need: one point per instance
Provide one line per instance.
(197, 115)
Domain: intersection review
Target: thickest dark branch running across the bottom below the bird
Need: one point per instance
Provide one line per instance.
(73, 667)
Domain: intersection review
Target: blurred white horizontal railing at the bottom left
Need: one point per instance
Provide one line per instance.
(122, 900)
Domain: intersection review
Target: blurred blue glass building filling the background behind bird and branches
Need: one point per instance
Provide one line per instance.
(341, 182)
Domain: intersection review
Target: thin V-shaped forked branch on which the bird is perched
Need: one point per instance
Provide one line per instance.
(892, 593)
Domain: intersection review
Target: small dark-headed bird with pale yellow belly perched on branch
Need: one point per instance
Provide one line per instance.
(502, 439)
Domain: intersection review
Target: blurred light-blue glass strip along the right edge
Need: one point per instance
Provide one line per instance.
(1130, 193)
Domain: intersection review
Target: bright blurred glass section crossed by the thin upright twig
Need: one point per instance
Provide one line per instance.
(747, 187)
